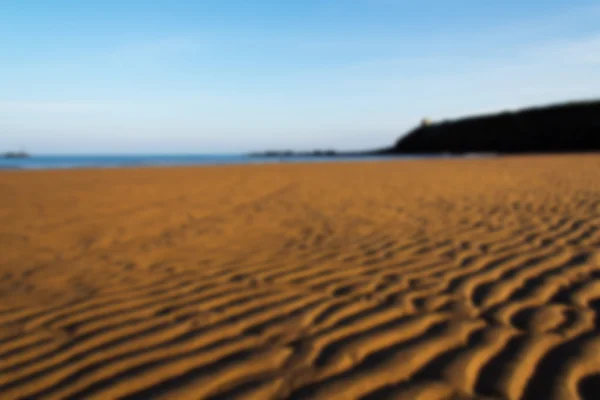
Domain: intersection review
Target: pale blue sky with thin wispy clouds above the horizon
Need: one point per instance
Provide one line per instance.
(229, 76)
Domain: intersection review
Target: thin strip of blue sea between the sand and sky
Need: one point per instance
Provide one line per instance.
(117, 161)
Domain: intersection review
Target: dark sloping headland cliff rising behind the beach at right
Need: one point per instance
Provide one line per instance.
(571, 127)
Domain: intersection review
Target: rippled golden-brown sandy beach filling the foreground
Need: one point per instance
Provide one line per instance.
(431, 279)
